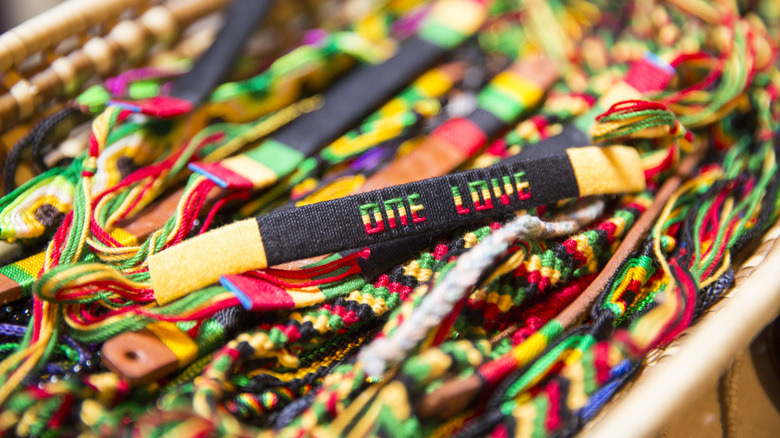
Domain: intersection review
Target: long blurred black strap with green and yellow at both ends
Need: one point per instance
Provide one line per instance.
(353, 98)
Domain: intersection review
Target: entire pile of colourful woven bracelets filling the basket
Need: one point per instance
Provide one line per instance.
(403, 218)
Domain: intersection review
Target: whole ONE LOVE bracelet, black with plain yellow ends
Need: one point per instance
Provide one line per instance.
(441, 203)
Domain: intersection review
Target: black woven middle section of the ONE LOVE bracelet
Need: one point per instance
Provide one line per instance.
(337, 225)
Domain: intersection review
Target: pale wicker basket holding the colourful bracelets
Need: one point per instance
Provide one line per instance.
(53, 57)
